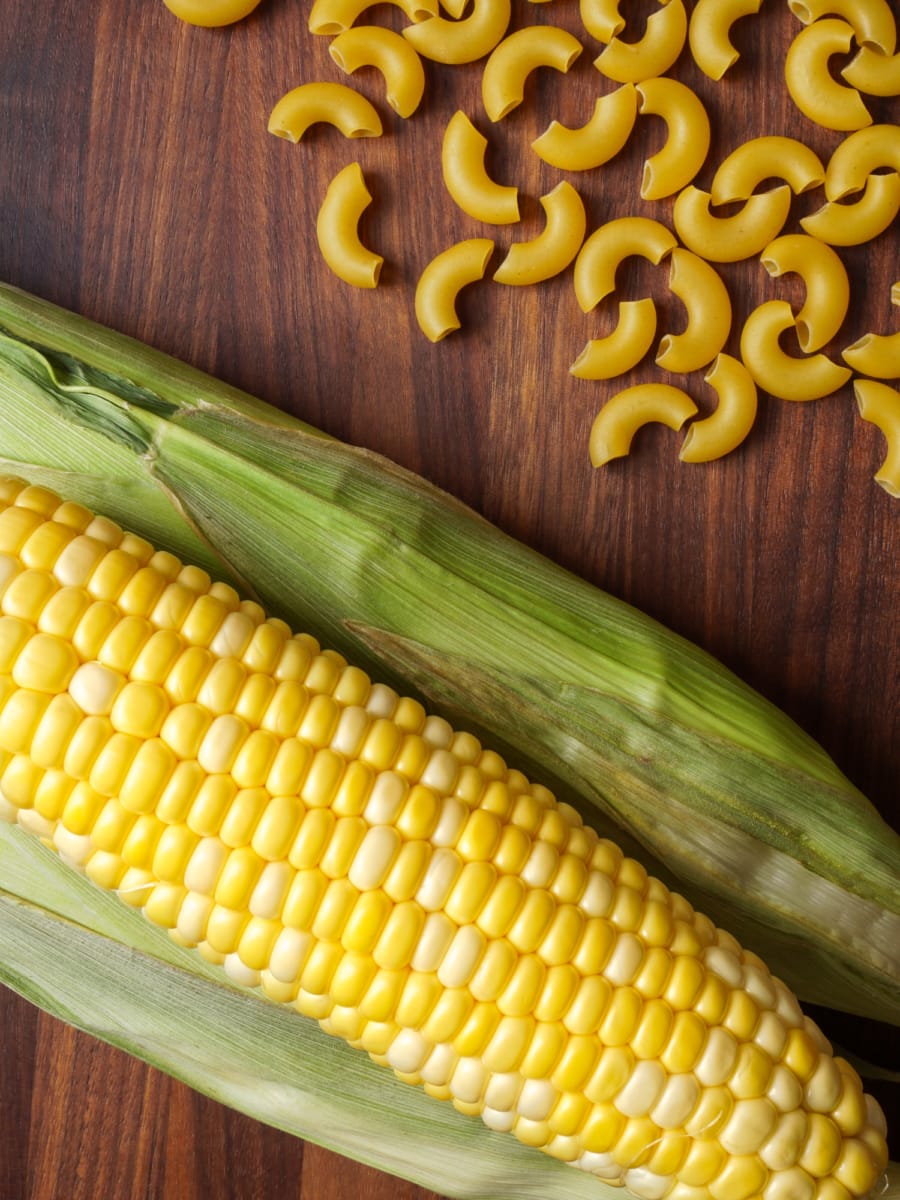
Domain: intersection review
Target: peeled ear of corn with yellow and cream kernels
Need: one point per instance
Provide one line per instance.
(327, 841)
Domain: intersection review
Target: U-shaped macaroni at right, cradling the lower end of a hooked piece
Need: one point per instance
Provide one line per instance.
(781, 374)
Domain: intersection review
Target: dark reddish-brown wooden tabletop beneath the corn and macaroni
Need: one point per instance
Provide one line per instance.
(139, 185)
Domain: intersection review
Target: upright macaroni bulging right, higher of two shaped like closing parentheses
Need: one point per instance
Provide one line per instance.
(687, 142)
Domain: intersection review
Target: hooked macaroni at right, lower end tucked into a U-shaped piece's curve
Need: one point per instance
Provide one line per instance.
(826, 281)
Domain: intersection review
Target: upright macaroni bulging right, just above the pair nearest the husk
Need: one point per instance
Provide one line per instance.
(703, 292)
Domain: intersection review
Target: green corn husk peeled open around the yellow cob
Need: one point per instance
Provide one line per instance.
(656, 742)
